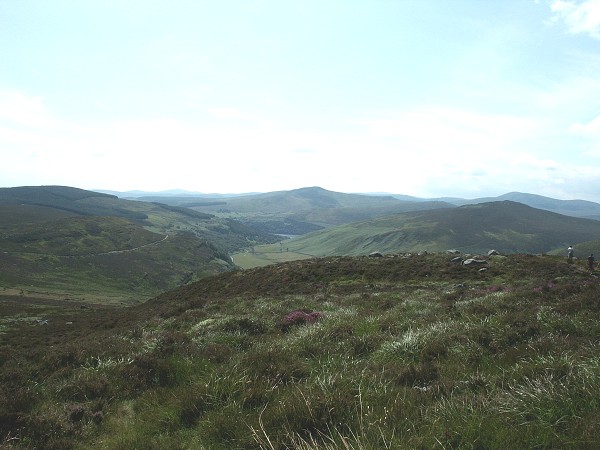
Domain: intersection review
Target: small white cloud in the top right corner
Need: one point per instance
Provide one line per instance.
(579, 17)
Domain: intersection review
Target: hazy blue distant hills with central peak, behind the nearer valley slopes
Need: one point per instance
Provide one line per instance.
(304, 210)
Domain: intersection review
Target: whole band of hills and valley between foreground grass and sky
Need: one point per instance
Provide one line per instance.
(57, 237)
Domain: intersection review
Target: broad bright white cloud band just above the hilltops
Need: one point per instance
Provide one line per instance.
(431, 151)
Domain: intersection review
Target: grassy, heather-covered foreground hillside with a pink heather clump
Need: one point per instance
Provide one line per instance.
(404, 352)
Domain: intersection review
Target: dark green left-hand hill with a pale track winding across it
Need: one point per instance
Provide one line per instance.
(62, 242)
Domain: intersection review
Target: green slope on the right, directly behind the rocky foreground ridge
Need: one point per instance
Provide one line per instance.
(508, 227)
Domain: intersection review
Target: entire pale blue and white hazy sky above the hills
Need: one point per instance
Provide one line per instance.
(462, 98)
